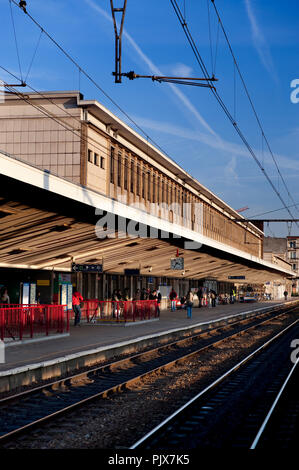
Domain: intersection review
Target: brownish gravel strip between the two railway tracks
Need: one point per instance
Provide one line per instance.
(116, 422)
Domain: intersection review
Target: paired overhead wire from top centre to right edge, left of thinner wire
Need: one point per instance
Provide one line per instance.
(220, 101)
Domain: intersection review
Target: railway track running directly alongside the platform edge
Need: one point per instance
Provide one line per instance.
(20, 413)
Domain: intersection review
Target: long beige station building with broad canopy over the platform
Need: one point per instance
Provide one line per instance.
(117, 216)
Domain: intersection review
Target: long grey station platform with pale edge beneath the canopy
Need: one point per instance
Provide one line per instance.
(31, 363)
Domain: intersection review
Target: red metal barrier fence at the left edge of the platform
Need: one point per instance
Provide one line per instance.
(21, 321)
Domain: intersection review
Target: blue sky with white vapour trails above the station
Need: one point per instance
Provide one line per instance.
(186, 122)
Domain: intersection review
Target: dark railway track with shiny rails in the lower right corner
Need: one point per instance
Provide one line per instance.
(249, 406)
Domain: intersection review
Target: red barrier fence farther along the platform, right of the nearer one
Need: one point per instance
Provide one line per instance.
(118, 311)
